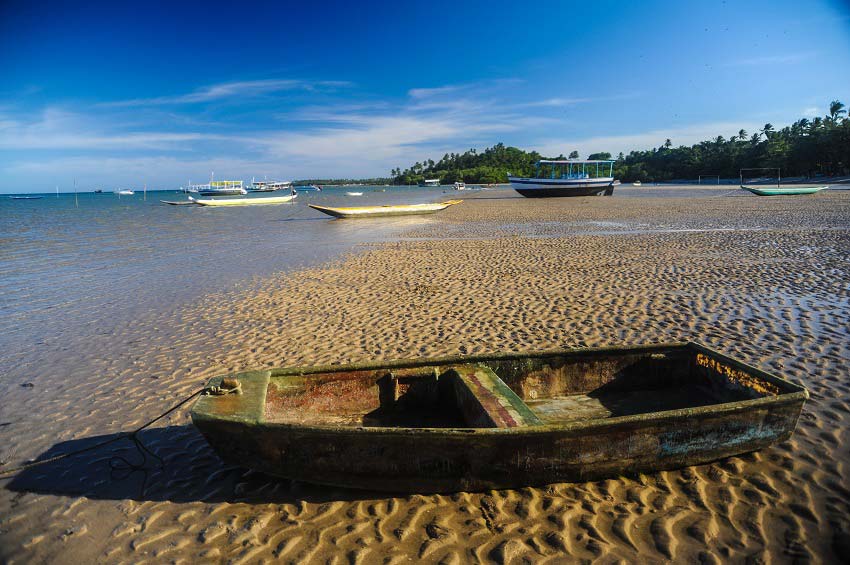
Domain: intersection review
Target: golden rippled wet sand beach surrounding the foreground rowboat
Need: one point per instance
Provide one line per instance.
(764, 280)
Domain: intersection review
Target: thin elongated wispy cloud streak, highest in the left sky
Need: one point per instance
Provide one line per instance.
(228, 90)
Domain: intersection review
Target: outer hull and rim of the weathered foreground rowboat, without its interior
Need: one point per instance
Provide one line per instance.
(474, 459)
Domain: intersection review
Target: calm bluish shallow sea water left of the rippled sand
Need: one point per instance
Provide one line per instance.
(72, 270)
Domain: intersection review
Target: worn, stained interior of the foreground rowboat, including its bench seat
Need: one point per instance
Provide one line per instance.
(508, 392)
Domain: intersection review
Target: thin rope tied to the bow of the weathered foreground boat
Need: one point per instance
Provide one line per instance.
(117, 462)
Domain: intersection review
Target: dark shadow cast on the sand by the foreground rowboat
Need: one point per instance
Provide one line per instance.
(189, 471)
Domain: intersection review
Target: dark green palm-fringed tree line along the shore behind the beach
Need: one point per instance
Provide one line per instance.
(805, 148)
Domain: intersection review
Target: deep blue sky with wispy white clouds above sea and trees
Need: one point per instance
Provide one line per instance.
(124, 93)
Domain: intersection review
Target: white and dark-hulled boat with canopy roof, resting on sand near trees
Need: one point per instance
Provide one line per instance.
(567, 177)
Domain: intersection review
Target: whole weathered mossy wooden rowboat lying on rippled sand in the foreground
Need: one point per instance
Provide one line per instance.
(498, 421)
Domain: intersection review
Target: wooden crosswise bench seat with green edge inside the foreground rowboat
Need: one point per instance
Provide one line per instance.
(486, 401)
